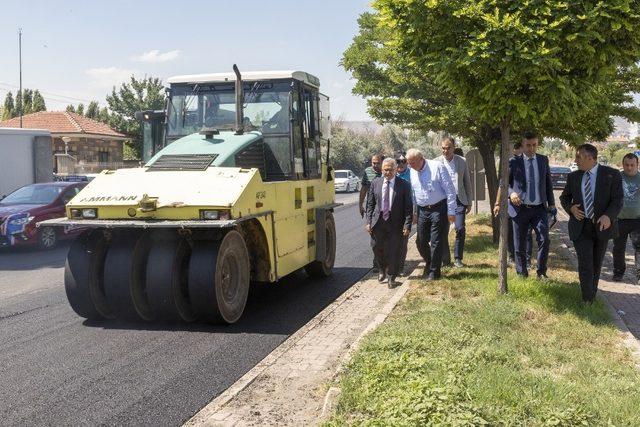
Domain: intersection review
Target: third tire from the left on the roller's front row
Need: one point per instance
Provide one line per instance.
(167, 278)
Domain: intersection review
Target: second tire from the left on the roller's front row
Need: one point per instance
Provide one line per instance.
(125, 276)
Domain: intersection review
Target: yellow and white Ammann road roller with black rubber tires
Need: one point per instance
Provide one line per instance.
(235, 190)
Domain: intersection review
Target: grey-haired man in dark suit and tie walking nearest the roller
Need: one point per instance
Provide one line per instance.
(388, 219)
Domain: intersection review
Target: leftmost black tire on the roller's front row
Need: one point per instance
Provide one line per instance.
(83, 273)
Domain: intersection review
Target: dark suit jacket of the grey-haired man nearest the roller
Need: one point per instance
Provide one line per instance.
(401, 214)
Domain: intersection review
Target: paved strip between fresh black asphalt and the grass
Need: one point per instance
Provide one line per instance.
(288, 386)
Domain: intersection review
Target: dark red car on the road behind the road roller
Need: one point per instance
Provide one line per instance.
(21, 210)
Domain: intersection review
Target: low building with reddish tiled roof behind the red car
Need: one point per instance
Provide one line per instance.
(89, 142)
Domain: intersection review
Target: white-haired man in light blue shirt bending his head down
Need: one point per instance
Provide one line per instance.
(435, 200)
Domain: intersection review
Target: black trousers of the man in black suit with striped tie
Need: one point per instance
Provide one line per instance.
(590, 251)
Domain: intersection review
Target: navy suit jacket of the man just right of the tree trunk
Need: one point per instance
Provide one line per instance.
(518, 181)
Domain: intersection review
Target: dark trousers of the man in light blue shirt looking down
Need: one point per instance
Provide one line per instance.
(433, 225)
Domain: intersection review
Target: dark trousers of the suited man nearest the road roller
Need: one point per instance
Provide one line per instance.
(386, 242)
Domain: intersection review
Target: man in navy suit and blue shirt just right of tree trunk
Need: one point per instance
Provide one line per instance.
(530, 198)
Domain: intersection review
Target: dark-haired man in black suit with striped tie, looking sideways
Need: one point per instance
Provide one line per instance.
(593, 199)
